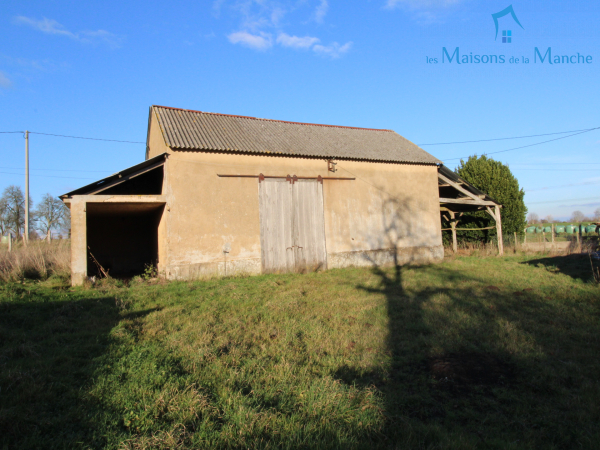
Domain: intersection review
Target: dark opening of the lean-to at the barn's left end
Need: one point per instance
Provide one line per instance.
(122, 237)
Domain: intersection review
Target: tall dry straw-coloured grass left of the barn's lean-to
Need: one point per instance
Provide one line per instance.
(37, 260)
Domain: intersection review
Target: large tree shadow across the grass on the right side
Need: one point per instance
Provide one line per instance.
(481, 367)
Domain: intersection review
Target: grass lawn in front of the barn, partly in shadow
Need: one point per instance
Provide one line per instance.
(471, 353)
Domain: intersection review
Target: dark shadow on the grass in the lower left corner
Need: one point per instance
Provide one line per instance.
(48, 352)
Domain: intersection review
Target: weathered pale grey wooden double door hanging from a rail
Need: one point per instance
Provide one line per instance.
(292, 225)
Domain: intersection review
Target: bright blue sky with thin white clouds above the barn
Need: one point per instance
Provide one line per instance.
(93, 68)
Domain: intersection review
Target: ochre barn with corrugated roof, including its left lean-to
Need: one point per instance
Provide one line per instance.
(222, 194)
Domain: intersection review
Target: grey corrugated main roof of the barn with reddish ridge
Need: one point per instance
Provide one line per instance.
(184, 129)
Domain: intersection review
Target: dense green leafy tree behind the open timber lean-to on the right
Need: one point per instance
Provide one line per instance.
(497, 181)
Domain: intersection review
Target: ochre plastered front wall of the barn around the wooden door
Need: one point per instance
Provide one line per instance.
(389, 213)
